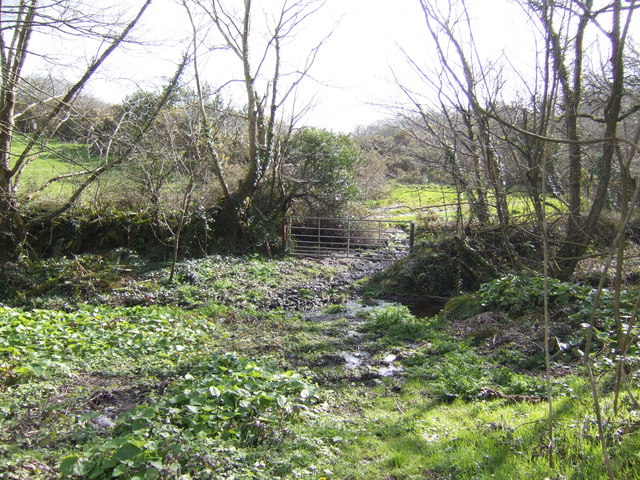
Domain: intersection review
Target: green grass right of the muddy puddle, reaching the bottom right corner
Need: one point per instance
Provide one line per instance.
(461, 415)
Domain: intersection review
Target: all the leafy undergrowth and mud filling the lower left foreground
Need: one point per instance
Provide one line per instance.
(137, 392)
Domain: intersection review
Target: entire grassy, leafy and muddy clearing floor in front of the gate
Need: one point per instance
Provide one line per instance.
(213, 390)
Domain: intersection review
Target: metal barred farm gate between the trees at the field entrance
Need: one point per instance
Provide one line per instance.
(343, 237)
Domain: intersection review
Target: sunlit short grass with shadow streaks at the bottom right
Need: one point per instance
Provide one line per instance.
(411, 436)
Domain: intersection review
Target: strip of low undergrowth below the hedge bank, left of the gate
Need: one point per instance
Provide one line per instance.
(122, 278)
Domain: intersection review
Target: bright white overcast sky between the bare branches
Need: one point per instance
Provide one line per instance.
(352, 81)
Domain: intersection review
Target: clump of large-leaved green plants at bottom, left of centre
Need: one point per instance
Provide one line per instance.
(219, 406)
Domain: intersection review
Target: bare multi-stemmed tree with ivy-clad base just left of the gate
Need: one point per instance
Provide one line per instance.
(267, 89)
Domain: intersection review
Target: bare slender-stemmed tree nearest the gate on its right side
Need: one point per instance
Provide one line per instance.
(455, 121)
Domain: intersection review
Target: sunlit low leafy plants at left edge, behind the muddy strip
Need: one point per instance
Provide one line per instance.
(120, 341)
